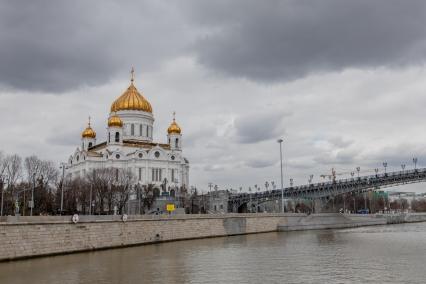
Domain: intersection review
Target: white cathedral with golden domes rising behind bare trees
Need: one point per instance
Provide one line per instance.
(130, 145)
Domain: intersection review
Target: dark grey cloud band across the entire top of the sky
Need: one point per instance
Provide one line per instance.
(55, 46)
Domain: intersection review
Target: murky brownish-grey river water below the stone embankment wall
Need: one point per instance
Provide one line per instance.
(380, 254)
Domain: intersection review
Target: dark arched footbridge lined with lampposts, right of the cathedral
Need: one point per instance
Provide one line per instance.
(326, 190)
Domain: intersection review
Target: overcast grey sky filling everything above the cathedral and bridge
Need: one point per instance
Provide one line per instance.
(343, 82)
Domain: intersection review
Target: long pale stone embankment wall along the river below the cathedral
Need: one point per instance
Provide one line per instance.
(22, 237)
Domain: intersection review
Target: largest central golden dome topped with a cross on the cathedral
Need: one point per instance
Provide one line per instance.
(131, 99)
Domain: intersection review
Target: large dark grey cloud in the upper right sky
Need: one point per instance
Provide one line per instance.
(284, 40)
